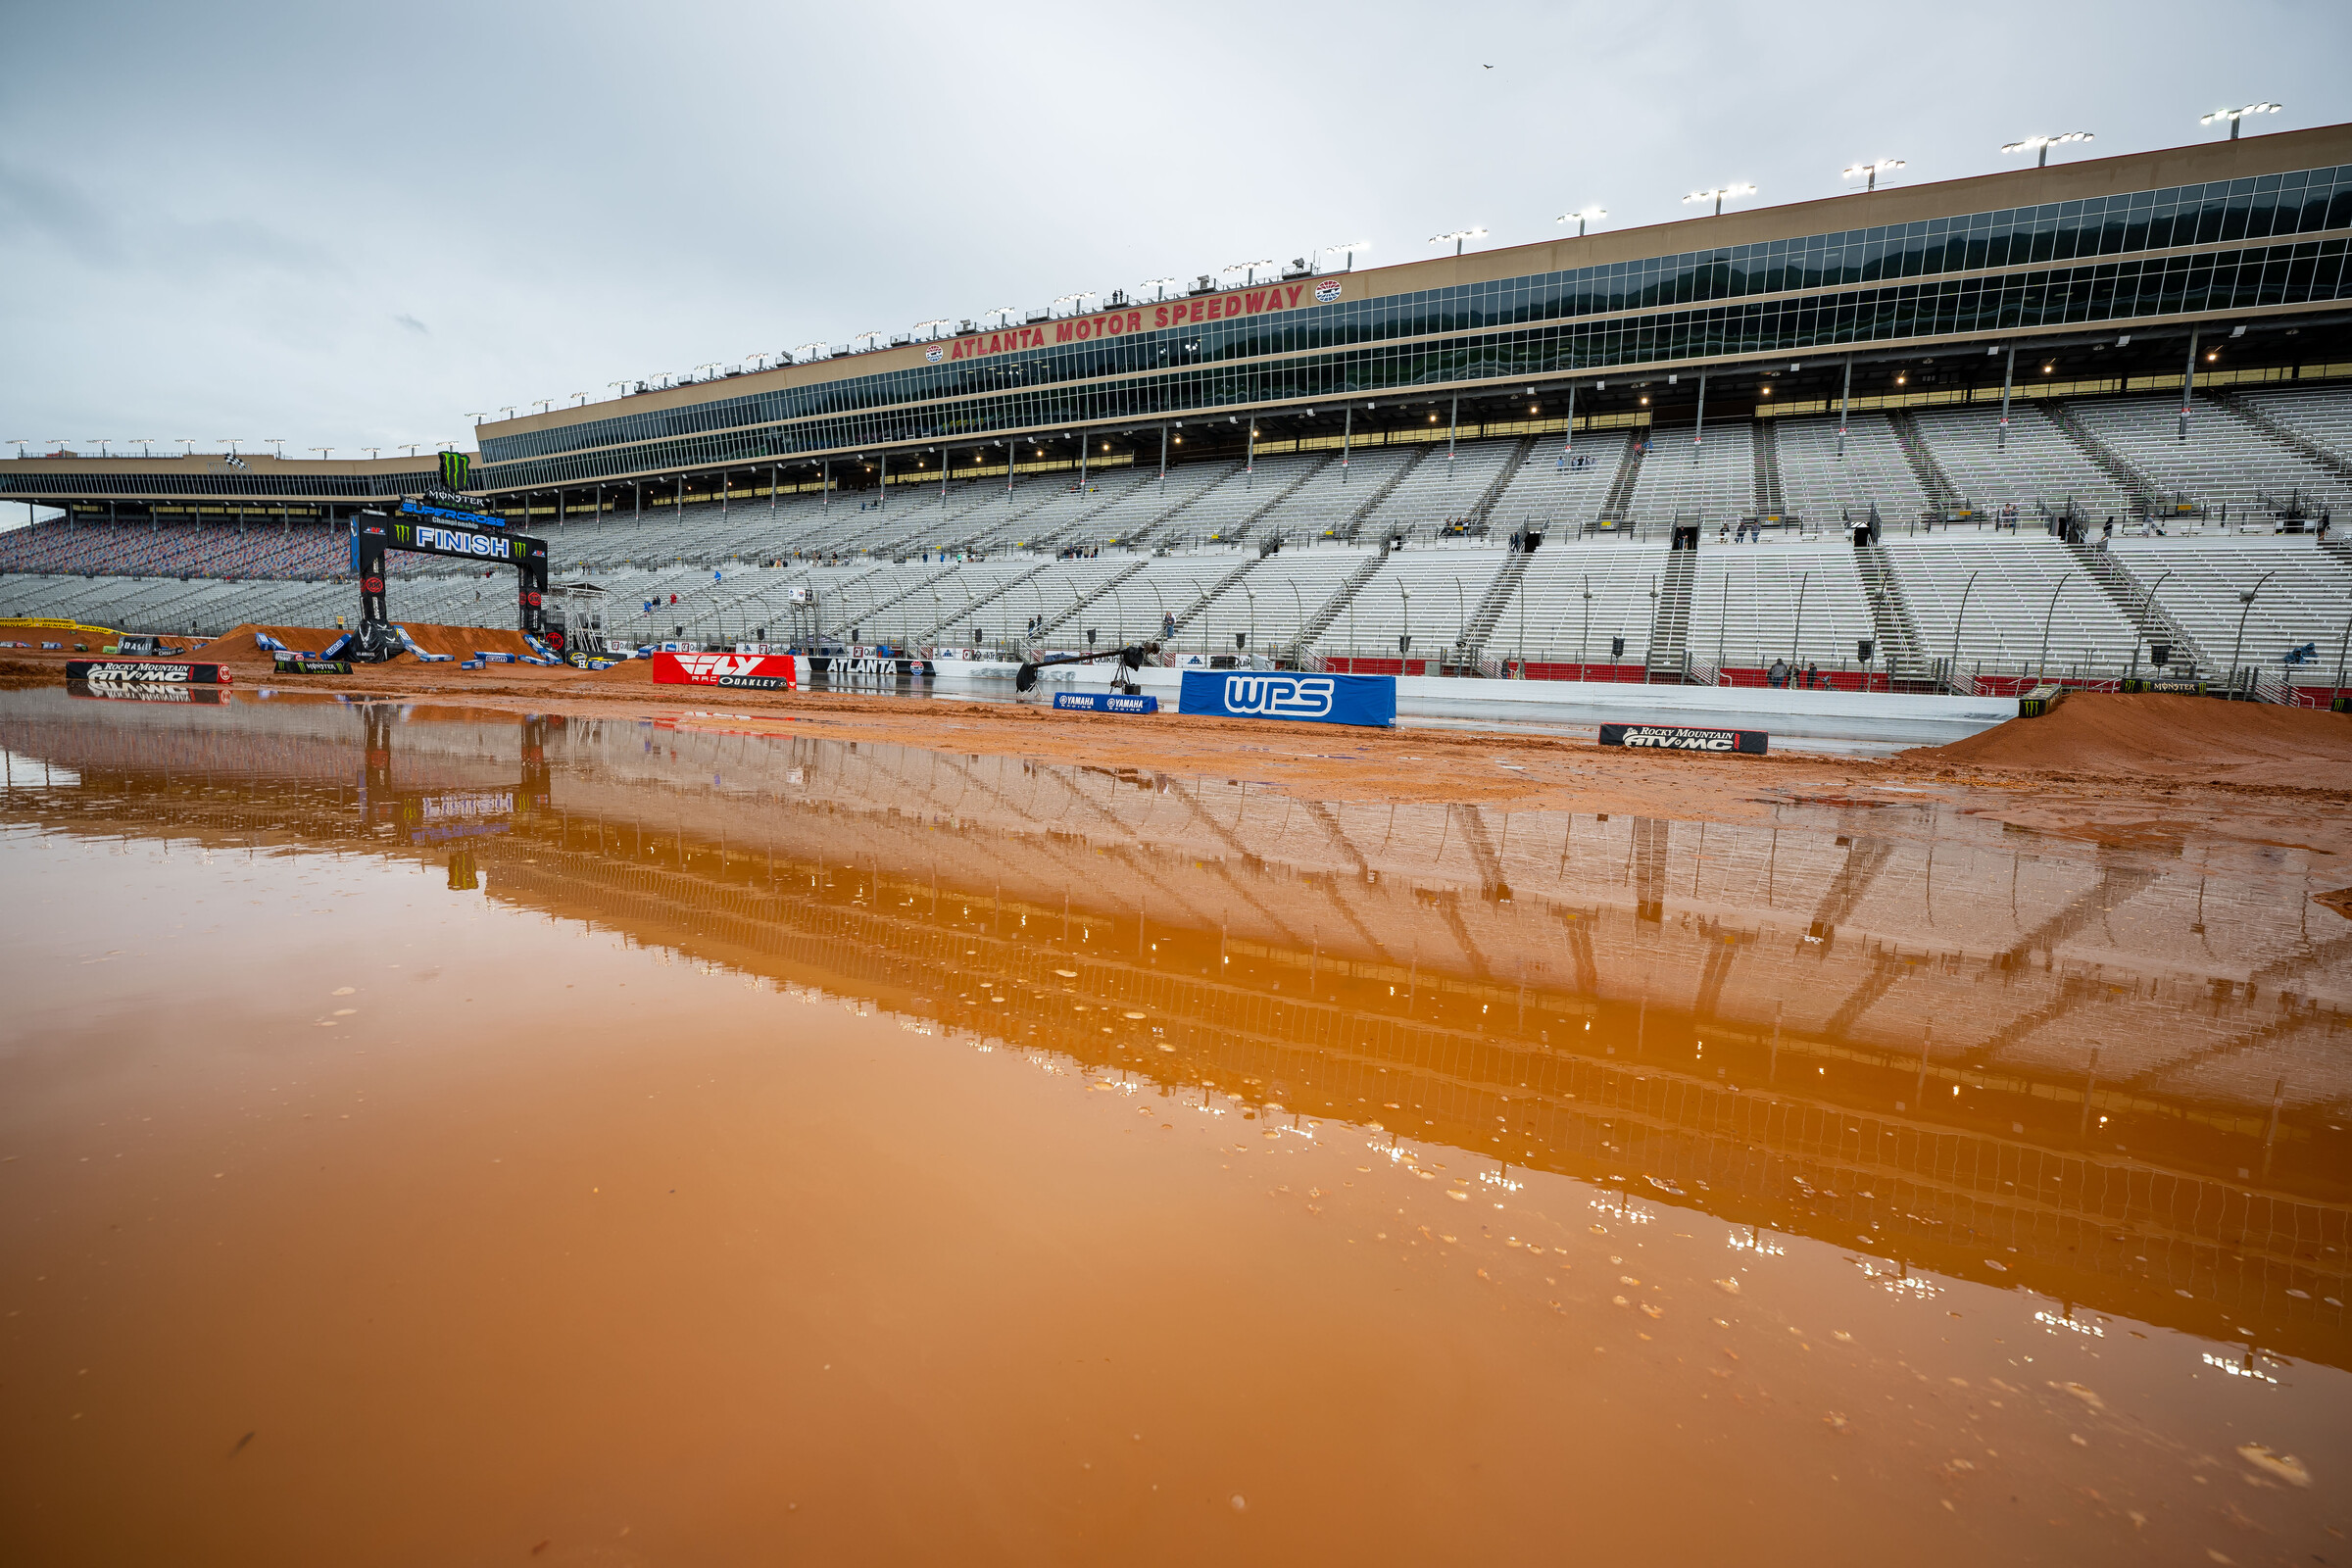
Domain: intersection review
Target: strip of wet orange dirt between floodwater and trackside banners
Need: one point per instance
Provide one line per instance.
(2141, 772)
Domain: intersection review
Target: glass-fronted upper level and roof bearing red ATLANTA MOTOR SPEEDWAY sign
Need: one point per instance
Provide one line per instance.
(2085, 276)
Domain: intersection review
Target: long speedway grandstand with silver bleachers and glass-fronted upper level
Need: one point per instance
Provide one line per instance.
(1890, 488)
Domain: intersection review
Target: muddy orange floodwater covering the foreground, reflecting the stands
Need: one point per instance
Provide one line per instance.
(448, 1137)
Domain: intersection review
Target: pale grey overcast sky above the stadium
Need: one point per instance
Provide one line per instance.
(349, 227)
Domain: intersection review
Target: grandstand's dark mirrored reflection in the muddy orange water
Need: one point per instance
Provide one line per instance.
(1770, 1021)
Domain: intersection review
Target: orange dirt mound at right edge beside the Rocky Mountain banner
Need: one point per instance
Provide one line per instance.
(2165, 737)
